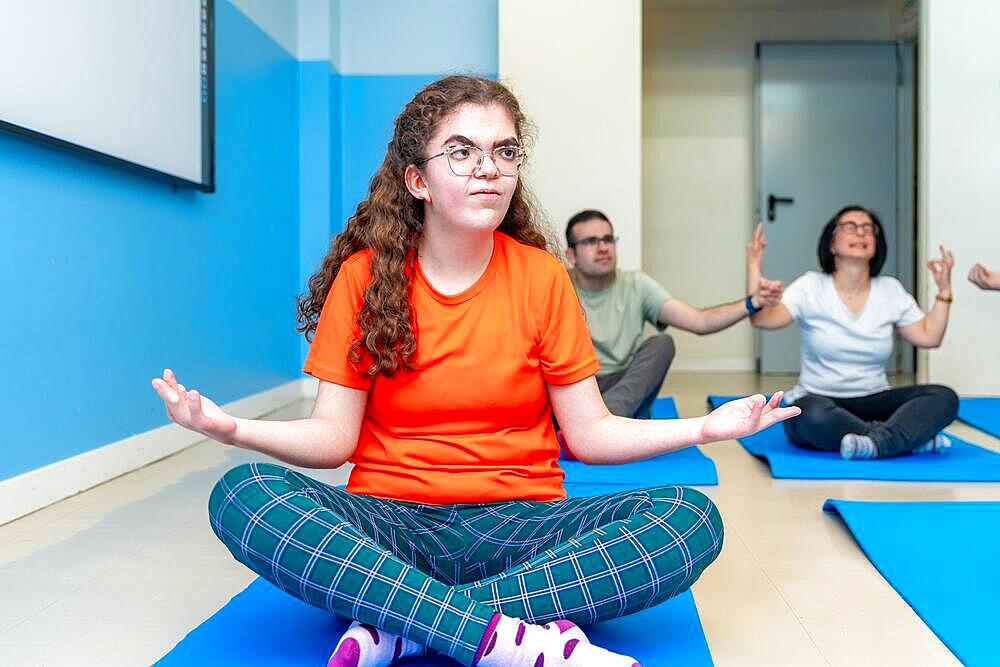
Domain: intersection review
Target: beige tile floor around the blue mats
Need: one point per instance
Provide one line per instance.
(117, 575)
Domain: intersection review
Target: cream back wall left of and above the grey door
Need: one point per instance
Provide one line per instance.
(697, 206)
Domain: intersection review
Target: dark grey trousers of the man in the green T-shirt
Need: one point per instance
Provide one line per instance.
(631, 392)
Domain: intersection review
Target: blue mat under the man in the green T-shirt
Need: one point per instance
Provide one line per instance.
(687, 466)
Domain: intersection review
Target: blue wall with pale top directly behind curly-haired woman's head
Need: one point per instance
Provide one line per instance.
(384, 51)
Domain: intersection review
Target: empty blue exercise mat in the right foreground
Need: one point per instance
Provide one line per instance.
(941, 557)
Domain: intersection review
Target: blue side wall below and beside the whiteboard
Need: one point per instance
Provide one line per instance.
(106, 277)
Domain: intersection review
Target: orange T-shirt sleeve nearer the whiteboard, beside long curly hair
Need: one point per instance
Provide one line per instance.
(328, 355)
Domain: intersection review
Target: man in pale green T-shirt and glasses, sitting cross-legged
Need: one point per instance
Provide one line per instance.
(618, 303)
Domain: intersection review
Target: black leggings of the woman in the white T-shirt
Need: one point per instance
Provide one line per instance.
(898, 420)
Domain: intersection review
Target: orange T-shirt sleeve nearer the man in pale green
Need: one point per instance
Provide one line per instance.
(565, 349)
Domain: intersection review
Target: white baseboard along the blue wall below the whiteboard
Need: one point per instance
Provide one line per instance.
(39, 488)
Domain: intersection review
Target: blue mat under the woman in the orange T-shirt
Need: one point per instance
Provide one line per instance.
(267, 627)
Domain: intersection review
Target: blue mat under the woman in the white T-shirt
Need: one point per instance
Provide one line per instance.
(964, 462)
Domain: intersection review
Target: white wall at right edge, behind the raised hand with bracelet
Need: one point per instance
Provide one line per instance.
(959, 139)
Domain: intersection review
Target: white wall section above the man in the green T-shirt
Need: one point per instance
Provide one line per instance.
(575, 65)
